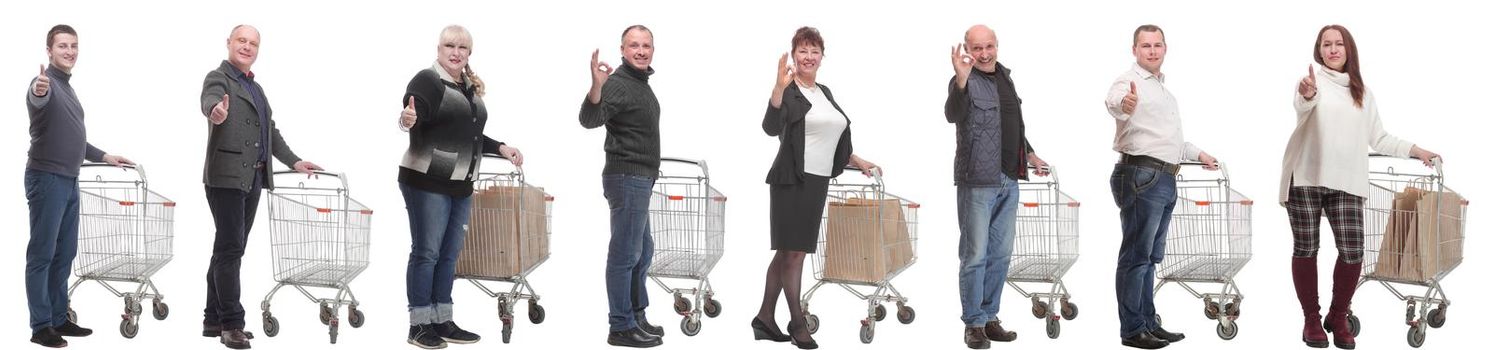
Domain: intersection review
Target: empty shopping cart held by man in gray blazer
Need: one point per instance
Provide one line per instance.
(319, 239)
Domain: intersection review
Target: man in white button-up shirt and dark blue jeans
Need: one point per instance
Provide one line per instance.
(1149, 137)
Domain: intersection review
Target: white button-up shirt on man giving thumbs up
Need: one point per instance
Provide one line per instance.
(1156, 126)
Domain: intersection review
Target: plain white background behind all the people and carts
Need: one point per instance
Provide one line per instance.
(335, 74)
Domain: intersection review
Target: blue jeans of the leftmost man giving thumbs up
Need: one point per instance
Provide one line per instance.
(53, 201)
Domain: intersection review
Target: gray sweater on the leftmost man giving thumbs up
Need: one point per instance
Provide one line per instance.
(59, 140)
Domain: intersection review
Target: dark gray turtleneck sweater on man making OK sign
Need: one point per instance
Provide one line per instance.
(631, 113)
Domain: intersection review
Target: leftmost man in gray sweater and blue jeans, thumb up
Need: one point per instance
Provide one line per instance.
(59, 149)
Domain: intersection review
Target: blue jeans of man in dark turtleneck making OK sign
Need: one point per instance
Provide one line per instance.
(631, 252)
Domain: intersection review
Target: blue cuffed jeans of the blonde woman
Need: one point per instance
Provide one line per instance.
(437, 233)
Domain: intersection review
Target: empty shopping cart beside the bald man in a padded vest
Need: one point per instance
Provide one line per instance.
(1046, 248)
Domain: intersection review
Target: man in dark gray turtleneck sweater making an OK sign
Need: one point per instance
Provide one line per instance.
(626, 105)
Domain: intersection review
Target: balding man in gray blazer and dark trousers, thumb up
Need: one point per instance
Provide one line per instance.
(241, 140)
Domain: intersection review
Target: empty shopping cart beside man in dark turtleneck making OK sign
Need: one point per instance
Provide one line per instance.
(689, 230)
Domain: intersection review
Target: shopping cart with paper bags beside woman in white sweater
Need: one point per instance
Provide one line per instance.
(1397, 260)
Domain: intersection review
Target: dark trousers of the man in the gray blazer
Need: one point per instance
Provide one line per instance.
(234, 216)
